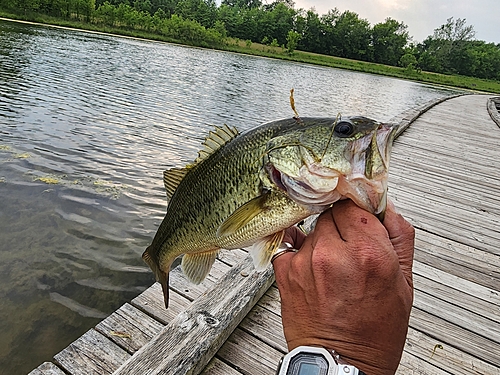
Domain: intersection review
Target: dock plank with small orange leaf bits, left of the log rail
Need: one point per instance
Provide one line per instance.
(129, 327)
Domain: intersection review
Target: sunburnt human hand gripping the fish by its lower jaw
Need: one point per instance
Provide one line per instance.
(349, 287)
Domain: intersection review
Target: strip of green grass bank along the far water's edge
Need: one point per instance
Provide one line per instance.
(257, 49)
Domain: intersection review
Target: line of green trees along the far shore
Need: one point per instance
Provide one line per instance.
(452, 49)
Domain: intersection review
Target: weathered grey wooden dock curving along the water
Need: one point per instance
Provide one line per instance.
(444, 178)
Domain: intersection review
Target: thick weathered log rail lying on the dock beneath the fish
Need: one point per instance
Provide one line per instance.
(188, 343)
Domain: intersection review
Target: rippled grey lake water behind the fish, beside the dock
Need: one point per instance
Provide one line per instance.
(88, 122)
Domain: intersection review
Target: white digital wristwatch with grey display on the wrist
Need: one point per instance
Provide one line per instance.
(311, 360)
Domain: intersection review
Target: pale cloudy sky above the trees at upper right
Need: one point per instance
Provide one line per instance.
(421, 16)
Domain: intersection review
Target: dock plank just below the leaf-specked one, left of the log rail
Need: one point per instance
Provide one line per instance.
(91, 354)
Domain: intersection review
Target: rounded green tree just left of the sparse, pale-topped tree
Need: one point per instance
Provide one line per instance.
(389, 39)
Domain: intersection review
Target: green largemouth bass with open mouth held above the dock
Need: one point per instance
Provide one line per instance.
(247, 188)
